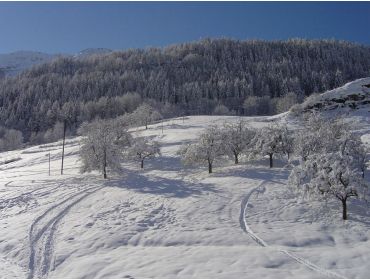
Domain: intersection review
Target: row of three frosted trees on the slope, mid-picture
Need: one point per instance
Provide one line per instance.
(233, 140)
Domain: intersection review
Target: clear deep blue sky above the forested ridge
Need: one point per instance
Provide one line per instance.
(67, 27)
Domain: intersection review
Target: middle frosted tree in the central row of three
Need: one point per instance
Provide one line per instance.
(237, 139)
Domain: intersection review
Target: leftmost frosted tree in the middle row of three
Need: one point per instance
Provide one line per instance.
(208, 147)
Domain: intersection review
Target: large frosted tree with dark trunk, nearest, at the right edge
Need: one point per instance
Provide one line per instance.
(332, 174)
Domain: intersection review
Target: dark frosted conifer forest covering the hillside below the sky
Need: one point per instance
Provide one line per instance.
(191, 78)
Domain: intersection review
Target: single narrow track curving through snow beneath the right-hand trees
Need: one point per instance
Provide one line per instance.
(260, 189)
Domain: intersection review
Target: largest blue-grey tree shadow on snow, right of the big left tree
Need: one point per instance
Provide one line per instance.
(159, 185)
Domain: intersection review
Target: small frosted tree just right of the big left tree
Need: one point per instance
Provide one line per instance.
(142, 149)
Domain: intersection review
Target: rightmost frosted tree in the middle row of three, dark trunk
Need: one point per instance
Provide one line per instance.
(270, 141)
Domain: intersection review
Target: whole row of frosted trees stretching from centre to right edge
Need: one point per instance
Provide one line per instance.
(329, 160)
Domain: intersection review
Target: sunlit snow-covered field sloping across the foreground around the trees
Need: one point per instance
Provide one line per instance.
(167, 221)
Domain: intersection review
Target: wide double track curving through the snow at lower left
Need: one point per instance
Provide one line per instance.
(42, 233)
